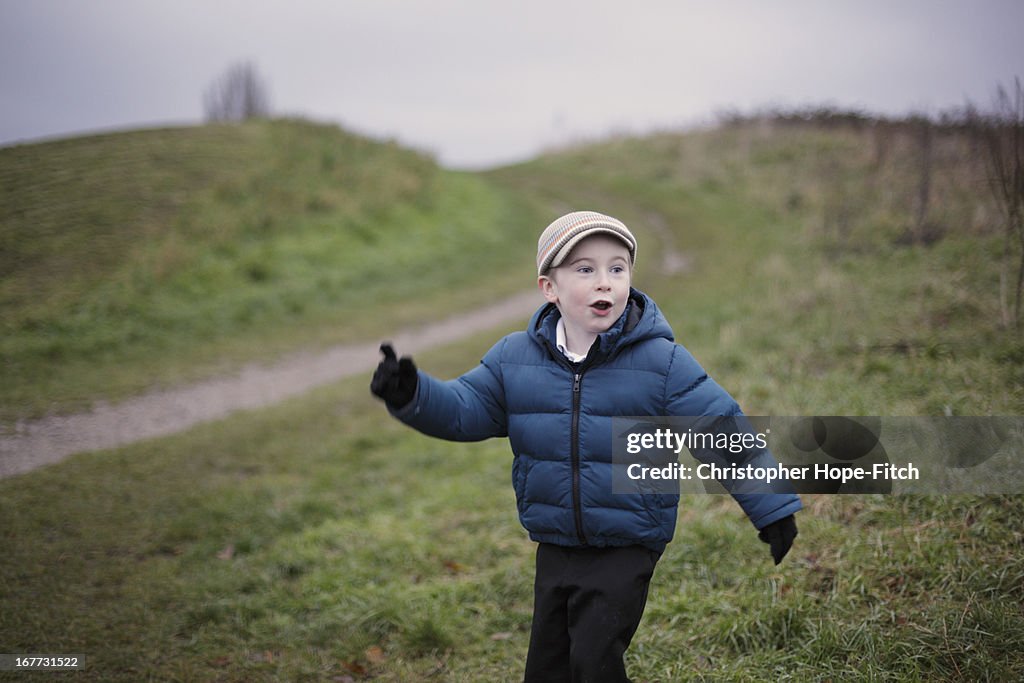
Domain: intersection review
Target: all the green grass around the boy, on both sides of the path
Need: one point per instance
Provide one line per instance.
(321, 540)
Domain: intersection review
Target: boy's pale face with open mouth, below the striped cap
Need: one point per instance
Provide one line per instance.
(592, 285)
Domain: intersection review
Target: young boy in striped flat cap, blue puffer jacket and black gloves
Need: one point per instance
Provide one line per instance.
(599, 349)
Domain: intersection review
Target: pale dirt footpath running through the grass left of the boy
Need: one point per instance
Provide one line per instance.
(51, 440)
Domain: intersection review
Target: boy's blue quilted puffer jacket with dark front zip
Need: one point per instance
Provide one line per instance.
(559, 419)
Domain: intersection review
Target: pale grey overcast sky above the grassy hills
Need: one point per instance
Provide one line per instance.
(483, 83)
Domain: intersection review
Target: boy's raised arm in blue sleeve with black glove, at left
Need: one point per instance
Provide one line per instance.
(471, 408)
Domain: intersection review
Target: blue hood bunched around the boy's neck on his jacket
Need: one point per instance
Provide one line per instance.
(642, 321)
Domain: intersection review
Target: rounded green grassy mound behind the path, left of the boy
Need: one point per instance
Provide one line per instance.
(157, 258)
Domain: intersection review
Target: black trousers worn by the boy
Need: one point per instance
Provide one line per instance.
(587, 606)
